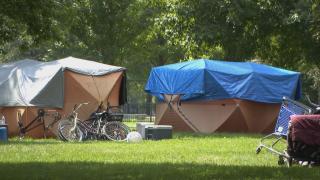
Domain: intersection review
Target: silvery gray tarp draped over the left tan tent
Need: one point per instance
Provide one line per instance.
(33, 83)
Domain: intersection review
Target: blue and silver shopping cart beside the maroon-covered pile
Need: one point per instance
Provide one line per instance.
(288, 107)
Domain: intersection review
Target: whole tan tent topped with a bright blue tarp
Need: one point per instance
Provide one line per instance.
(215, 96)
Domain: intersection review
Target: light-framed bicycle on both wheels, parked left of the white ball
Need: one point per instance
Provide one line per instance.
(98, 126)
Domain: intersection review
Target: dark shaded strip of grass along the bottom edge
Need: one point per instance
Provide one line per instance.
(93, 170)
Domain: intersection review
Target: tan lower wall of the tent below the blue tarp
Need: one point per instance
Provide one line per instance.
(230, 115)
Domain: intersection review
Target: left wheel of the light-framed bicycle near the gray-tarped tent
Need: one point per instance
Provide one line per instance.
(67, 131)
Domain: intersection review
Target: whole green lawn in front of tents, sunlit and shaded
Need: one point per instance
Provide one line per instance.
(186, 156)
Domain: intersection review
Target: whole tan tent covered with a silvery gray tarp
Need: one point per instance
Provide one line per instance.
(27, 85)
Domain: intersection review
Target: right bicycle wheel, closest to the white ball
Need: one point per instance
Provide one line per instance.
(116, 131)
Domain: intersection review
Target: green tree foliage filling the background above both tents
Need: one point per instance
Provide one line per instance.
(141, 34)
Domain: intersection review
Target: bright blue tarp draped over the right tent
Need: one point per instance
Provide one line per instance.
(212, 80)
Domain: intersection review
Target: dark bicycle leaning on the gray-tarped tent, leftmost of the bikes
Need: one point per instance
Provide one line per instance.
(40, 119)
